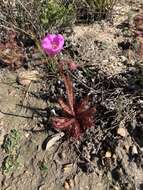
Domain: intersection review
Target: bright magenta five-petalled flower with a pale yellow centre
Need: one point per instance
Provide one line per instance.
(52, 44)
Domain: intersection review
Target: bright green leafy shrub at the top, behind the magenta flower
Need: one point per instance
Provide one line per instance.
(55, 14)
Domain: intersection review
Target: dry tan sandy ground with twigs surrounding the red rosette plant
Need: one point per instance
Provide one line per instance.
(102, 46)
